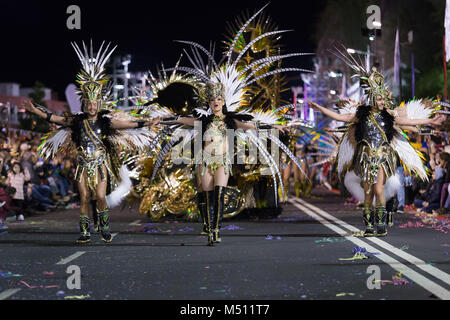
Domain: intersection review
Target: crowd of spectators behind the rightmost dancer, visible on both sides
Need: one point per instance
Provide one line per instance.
(432, 196)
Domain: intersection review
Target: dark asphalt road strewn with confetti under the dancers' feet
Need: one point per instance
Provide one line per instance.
(296, 256)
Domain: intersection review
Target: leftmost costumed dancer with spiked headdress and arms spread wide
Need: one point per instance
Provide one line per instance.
(96, 136)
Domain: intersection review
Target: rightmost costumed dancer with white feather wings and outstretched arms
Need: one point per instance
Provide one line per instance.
(368, 151)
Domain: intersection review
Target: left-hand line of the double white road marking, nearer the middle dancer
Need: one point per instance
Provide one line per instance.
(426, 283)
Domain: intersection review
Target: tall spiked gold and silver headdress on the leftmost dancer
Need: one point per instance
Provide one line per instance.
(92, 78)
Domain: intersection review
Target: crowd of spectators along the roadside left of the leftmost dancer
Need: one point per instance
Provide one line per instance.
(29, 184)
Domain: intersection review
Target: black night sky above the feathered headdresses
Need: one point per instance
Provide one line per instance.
(35, 42)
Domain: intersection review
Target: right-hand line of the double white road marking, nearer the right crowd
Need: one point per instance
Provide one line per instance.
(441, 275)
